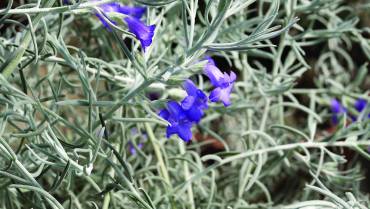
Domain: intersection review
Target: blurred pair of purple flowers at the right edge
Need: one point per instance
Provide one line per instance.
(339, 110)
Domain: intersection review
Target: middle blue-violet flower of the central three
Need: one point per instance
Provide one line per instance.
(195, 102)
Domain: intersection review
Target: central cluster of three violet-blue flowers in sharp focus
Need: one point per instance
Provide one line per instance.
(181, 116)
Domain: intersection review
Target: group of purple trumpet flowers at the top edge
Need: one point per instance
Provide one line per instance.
(133, 15)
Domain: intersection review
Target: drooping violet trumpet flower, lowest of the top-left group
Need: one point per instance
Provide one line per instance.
(142, 32)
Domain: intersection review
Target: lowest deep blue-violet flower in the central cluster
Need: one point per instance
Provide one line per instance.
(179, 122)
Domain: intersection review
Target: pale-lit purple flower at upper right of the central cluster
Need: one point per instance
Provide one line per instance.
(222, 81)
